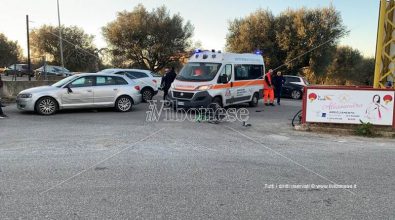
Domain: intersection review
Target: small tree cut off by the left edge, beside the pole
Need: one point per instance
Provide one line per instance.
(10, 51)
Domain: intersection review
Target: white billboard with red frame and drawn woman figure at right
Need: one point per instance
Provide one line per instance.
(348, 106)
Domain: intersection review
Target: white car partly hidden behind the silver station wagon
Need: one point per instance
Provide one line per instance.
(146, 79)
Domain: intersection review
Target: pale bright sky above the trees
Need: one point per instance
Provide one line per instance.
(210, 18)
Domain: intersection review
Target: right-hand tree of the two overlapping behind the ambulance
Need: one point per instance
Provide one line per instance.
(309, 37)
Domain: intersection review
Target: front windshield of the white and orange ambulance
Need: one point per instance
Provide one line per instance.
(199, 71)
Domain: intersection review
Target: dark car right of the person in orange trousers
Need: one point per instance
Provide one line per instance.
(293, 86)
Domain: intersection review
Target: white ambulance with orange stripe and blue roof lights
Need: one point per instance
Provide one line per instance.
(222, 78)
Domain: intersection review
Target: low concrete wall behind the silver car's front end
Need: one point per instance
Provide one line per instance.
(11, 88)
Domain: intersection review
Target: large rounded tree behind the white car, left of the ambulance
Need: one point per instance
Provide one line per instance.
(146, 39)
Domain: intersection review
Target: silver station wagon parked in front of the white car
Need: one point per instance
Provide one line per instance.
(88, 90)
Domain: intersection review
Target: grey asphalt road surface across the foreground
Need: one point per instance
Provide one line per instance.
(102, 164)
